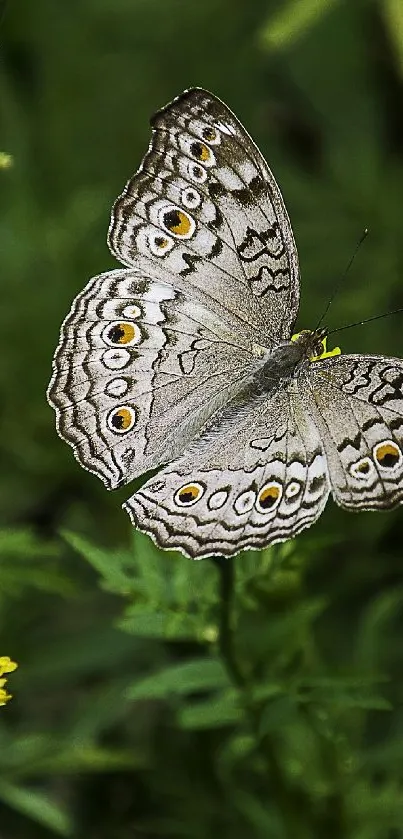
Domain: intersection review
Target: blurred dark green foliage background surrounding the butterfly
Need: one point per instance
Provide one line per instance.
(143, 705)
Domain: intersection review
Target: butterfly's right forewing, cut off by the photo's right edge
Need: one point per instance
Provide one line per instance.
(358, 406)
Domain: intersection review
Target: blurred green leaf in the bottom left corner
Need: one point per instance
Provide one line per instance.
(37, 807)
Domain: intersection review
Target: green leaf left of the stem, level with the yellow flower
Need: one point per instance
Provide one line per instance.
(202, 674)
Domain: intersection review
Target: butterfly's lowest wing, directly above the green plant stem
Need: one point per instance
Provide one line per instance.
(257, 475)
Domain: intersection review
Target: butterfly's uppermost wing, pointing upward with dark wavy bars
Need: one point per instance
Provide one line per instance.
(205, 214)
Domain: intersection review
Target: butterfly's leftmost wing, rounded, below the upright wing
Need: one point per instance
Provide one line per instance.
(138, 370)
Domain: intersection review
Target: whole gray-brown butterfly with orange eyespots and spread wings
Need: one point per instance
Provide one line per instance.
(187, 358)
